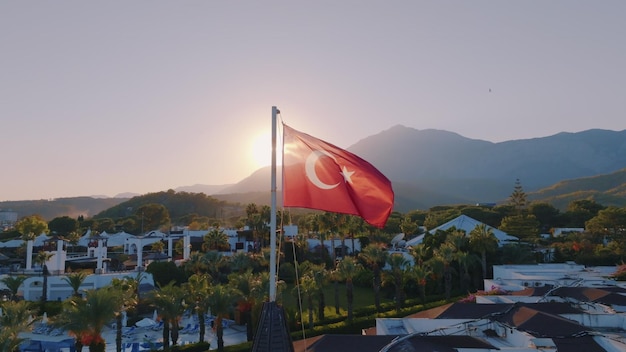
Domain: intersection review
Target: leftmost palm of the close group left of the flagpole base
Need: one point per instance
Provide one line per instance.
(169, 300)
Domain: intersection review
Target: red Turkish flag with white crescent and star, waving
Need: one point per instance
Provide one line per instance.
(319, 175)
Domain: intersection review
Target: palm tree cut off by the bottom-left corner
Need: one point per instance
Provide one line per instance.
(13, 320)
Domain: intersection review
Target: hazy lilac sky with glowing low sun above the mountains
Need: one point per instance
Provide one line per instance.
(105, 97)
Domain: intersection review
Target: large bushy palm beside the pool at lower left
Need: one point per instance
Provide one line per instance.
(86, 318)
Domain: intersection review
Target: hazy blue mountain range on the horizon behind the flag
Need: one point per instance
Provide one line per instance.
(434, 167)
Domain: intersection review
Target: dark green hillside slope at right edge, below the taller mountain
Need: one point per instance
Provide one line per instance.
(608, 189)
